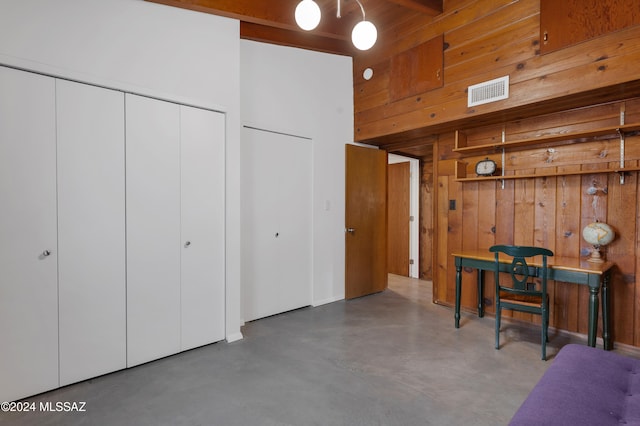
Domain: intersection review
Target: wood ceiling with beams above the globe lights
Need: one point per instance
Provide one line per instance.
(272, 21)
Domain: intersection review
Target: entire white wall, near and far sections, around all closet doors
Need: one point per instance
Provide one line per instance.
(198, 59)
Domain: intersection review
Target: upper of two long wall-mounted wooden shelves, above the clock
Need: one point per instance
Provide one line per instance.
(613, 131)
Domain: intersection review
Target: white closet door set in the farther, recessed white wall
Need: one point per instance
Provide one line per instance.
(276, 223)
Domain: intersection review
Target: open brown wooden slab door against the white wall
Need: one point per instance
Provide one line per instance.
(365, 221)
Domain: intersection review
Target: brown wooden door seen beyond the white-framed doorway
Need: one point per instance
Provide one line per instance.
(398, 179)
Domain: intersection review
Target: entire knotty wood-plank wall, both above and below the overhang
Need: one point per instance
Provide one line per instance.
(486, 39)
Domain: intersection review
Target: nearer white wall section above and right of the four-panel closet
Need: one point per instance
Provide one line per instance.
(145, 48)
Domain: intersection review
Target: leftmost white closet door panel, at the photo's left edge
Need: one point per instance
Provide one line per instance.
(28, 251)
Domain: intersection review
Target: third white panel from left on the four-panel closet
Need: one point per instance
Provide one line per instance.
(153, 229)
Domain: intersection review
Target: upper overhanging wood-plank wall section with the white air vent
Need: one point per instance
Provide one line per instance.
(483, 40)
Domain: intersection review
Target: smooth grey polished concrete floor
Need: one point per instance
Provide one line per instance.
(392, 358)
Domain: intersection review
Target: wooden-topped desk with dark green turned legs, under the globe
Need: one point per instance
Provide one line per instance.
(572, 270)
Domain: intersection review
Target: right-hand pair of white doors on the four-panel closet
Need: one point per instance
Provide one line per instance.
(175, 228)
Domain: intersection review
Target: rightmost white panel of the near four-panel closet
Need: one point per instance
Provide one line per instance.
(203, 256)
